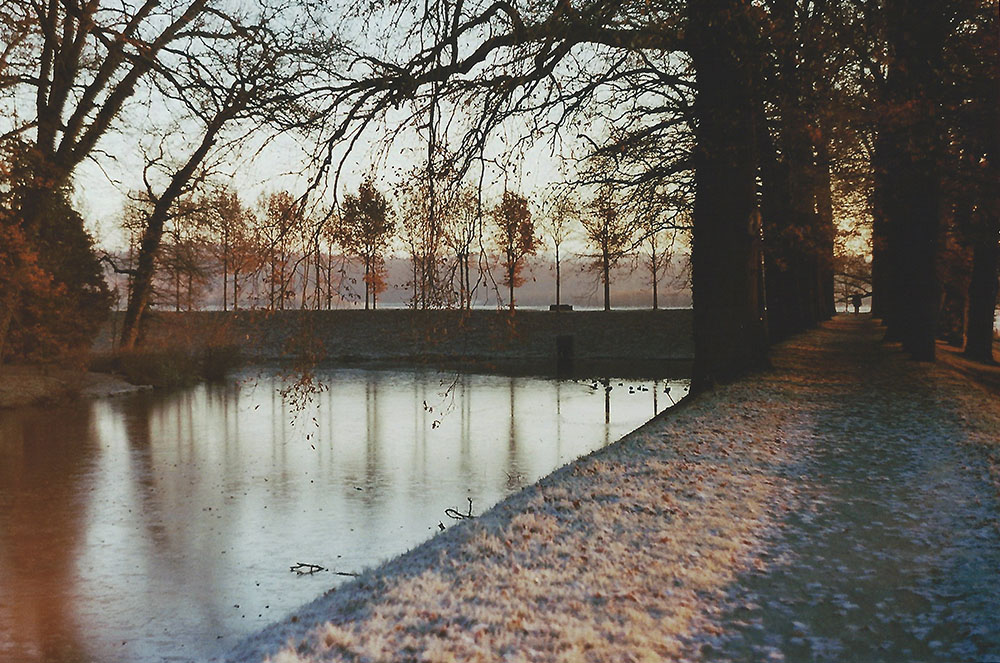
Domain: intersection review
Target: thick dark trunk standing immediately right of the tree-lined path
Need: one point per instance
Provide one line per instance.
(907, 176)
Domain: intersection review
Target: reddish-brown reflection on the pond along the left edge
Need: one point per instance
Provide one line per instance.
(43, 479)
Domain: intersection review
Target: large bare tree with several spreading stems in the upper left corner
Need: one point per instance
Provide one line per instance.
(78, 62)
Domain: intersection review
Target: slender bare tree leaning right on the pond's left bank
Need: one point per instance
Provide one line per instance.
(234, 72)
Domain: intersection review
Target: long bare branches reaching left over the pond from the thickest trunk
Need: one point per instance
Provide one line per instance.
(480, 65)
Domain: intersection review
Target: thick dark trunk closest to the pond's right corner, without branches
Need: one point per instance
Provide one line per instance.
(729, 333)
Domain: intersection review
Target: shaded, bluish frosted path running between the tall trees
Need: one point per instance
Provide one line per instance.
(892, 552)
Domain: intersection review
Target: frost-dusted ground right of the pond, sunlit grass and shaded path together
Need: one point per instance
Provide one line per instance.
(838, 507)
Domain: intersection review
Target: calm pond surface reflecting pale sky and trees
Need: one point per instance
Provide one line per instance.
(161, 527)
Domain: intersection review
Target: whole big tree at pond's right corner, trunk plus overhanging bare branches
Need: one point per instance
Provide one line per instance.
(550, 65)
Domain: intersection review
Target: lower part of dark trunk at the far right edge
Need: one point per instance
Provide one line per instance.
(983, 296)
